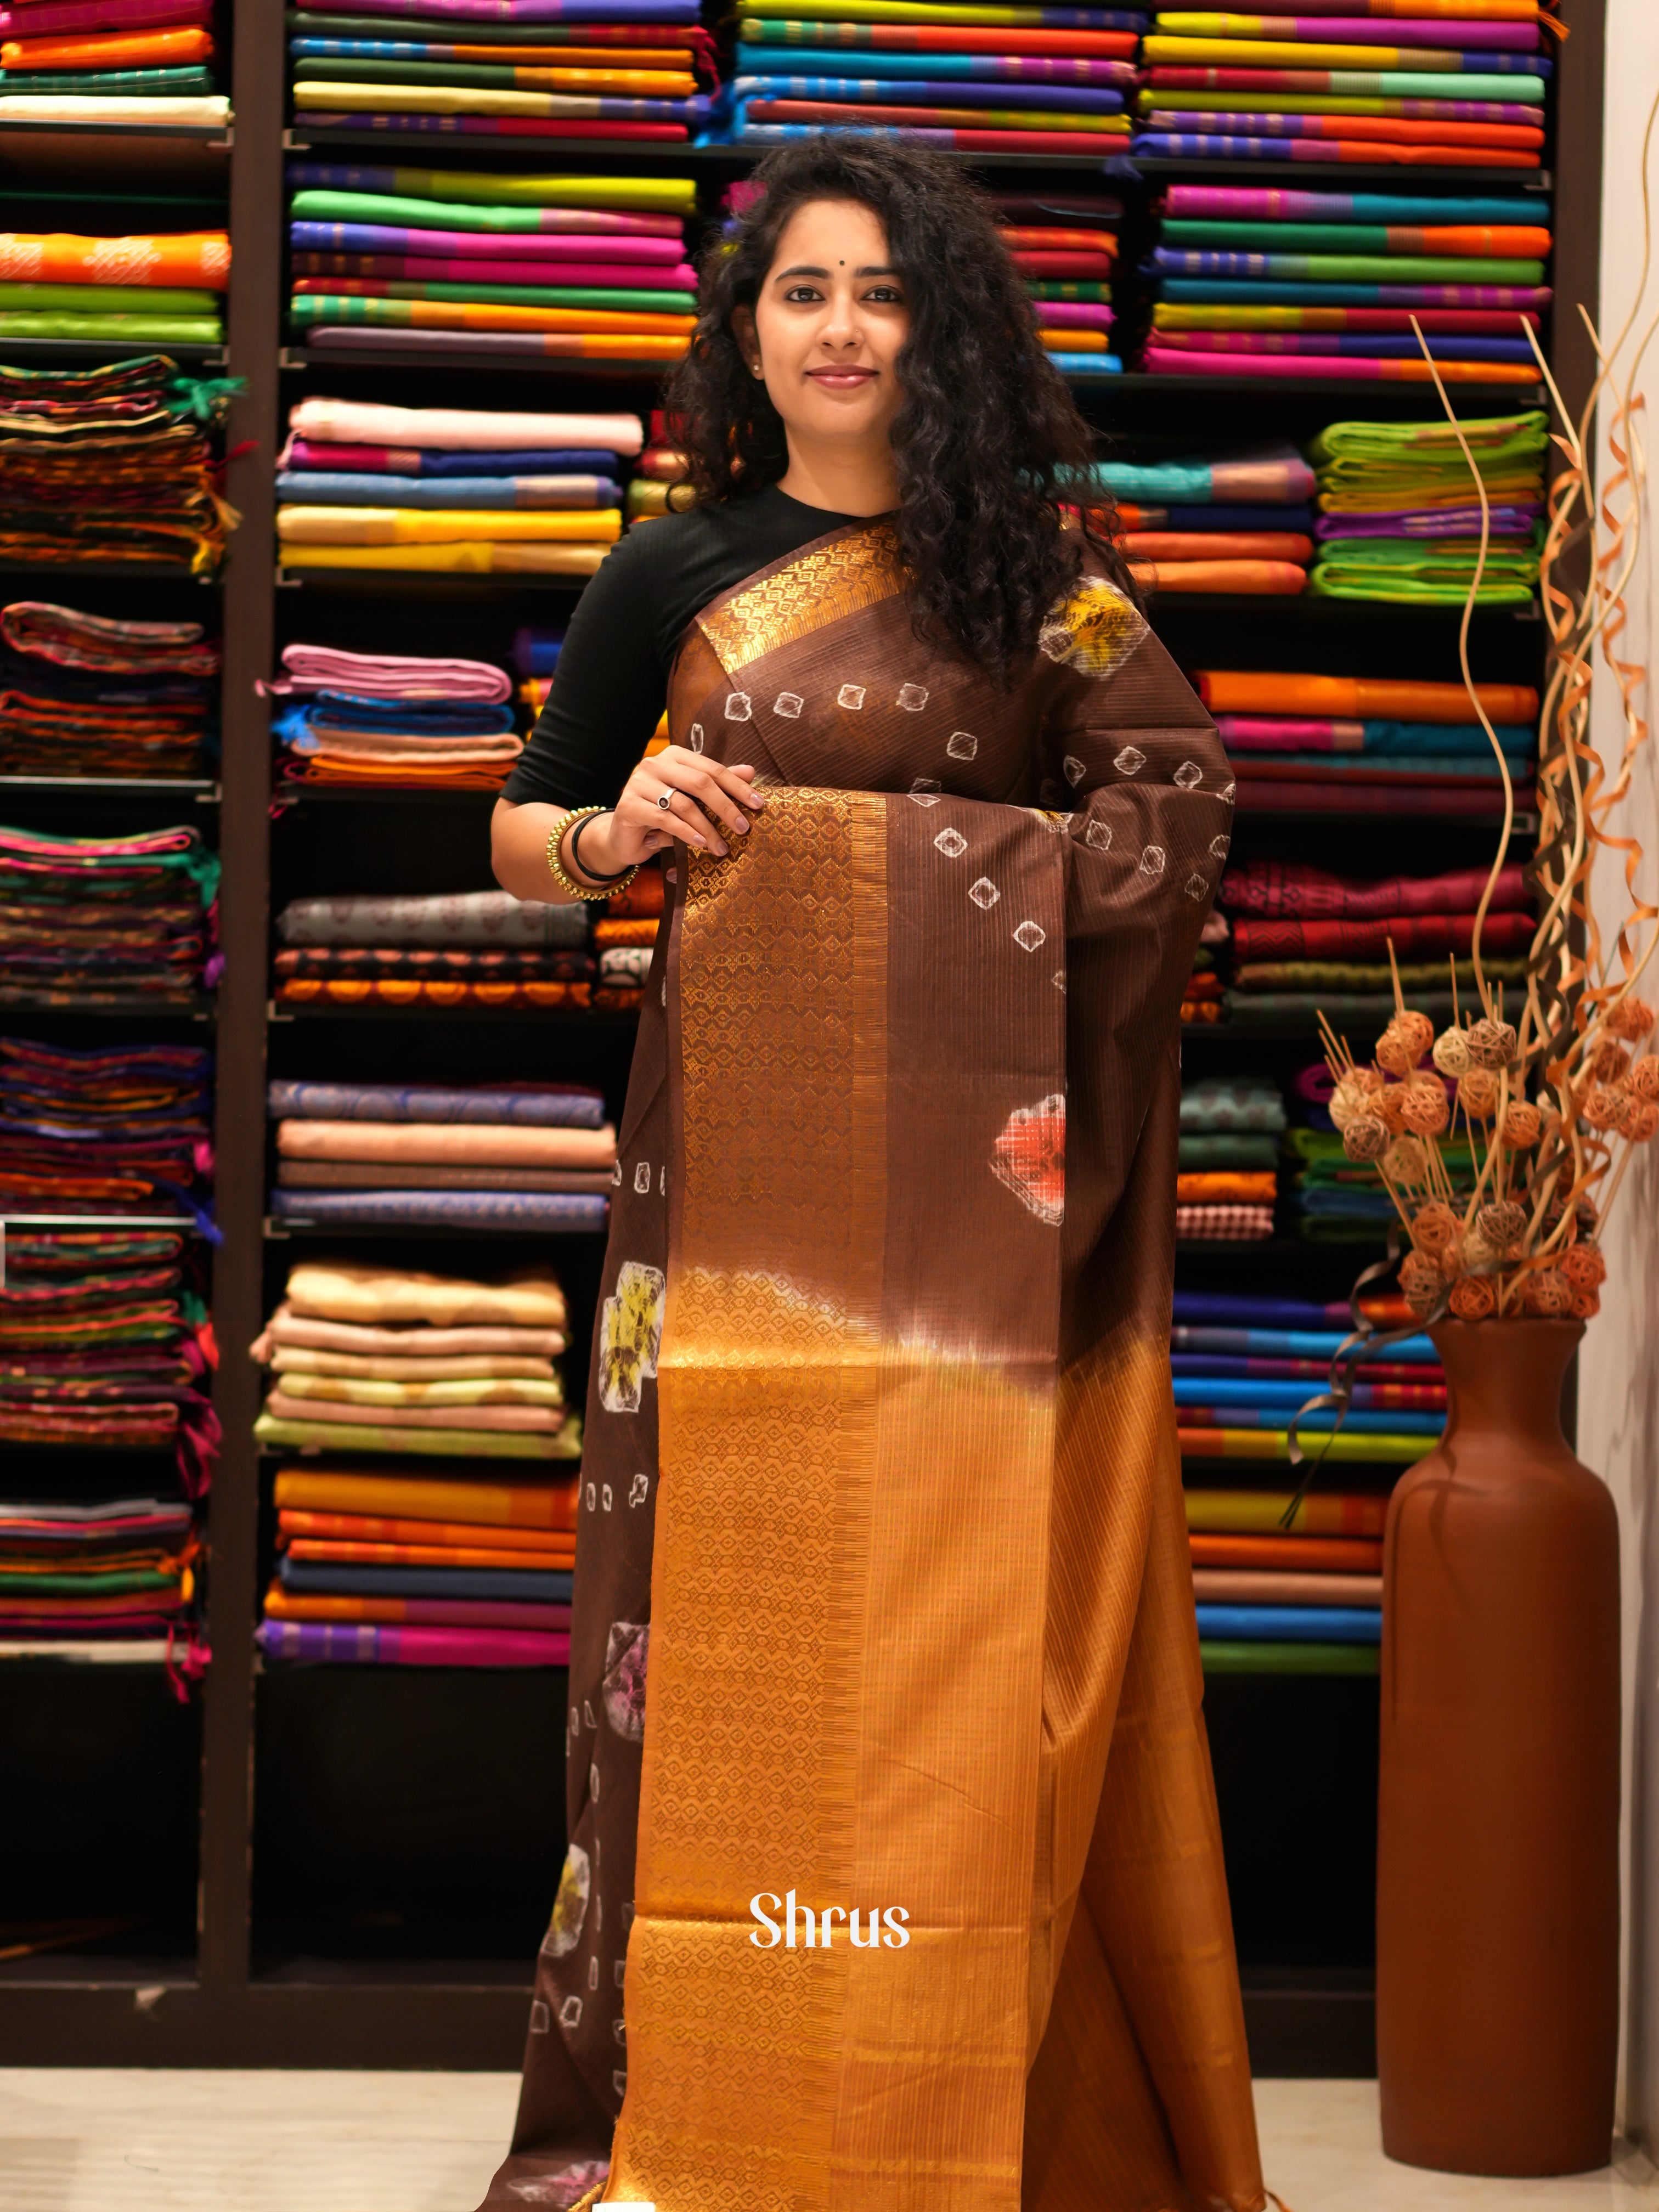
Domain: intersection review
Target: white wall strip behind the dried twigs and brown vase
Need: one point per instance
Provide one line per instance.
(1620, 1364)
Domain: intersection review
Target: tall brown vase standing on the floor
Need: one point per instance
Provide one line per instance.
(1499, 1808)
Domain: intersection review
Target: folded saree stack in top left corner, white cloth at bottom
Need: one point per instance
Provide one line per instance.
(112, 63)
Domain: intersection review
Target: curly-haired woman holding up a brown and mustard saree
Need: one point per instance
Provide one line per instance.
(886, 1757)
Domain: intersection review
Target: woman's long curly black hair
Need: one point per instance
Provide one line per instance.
(988, 444)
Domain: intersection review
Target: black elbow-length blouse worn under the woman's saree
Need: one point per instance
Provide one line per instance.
(627, 627)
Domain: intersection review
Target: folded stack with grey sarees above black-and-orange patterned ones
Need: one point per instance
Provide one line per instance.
(452, 950)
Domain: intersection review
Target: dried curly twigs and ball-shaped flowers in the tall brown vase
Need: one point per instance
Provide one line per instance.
(1556, 1100)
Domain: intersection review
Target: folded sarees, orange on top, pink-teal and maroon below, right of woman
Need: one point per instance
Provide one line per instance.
(1308, 744)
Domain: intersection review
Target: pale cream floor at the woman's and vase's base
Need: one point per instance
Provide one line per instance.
(382, 2142)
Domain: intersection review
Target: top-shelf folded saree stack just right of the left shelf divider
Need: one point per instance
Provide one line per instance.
(517, 70)
